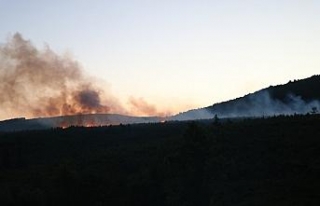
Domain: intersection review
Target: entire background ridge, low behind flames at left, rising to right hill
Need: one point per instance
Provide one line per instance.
(295, 97)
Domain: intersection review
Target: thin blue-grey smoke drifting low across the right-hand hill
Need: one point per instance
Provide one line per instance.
(258, 104)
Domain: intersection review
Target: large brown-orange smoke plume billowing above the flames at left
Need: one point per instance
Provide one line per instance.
(37, 83)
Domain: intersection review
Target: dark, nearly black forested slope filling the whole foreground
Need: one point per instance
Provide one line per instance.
(273, 161)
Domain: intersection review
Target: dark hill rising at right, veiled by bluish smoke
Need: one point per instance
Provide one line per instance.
(299, 96)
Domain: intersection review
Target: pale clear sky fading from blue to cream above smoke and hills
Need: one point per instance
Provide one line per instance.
(174, 54)
